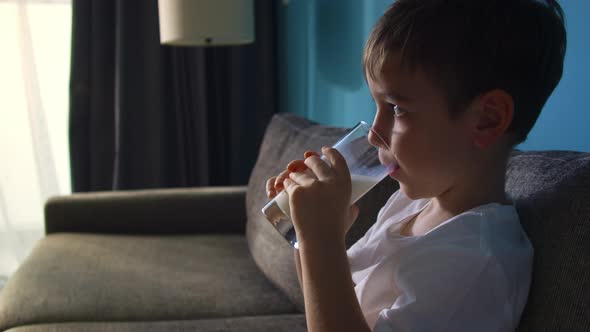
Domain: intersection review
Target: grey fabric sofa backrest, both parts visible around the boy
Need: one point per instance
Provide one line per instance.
(551, 190)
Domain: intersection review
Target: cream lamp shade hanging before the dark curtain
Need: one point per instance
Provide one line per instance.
(206, 22)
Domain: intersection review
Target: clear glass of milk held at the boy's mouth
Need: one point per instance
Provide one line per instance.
(365, 169)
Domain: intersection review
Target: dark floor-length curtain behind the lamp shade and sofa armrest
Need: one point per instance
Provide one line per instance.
(144, 115)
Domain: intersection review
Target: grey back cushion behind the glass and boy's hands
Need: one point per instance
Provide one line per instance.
(287, 137)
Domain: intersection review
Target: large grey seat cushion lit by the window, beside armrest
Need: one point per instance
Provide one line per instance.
(88, 277)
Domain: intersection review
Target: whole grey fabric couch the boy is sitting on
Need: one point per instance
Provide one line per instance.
(205, 259)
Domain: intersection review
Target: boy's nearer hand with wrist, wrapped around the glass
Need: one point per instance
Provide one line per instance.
(319, 197)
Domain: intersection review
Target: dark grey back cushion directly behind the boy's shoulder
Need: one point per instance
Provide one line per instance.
(551, 190)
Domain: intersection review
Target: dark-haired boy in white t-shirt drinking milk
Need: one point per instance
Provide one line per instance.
(457, 85)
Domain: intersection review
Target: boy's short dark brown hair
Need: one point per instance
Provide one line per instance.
(472, 46)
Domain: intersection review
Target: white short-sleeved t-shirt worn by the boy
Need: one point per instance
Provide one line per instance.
(470, 273)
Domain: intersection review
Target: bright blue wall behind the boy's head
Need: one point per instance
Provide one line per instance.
(320, 52)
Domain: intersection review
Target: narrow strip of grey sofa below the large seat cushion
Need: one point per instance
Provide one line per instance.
(278, 323)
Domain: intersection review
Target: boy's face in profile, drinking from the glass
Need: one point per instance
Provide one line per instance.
(431, 148)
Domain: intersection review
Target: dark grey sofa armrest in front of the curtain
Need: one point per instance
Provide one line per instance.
(149, 211)
